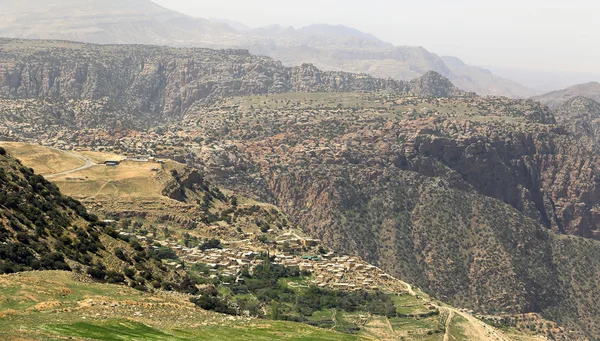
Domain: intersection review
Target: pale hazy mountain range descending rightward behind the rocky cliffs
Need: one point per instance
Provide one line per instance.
(335, 48)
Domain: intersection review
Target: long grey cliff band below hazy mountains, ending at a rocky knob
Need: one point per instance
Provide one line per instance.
(141, 86)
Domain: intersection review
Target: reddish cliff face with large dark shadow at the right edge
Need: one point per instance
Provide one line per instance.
(548, 175)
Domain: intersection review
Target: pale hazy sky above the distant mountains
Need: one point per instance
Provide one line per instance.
(535, 34)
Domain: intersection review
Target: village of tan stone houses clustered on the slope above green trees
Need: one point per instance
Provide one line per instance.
(328, 270)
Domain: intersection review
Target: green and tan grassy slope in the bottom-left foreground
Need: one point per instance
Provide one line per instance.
(54, 306)
